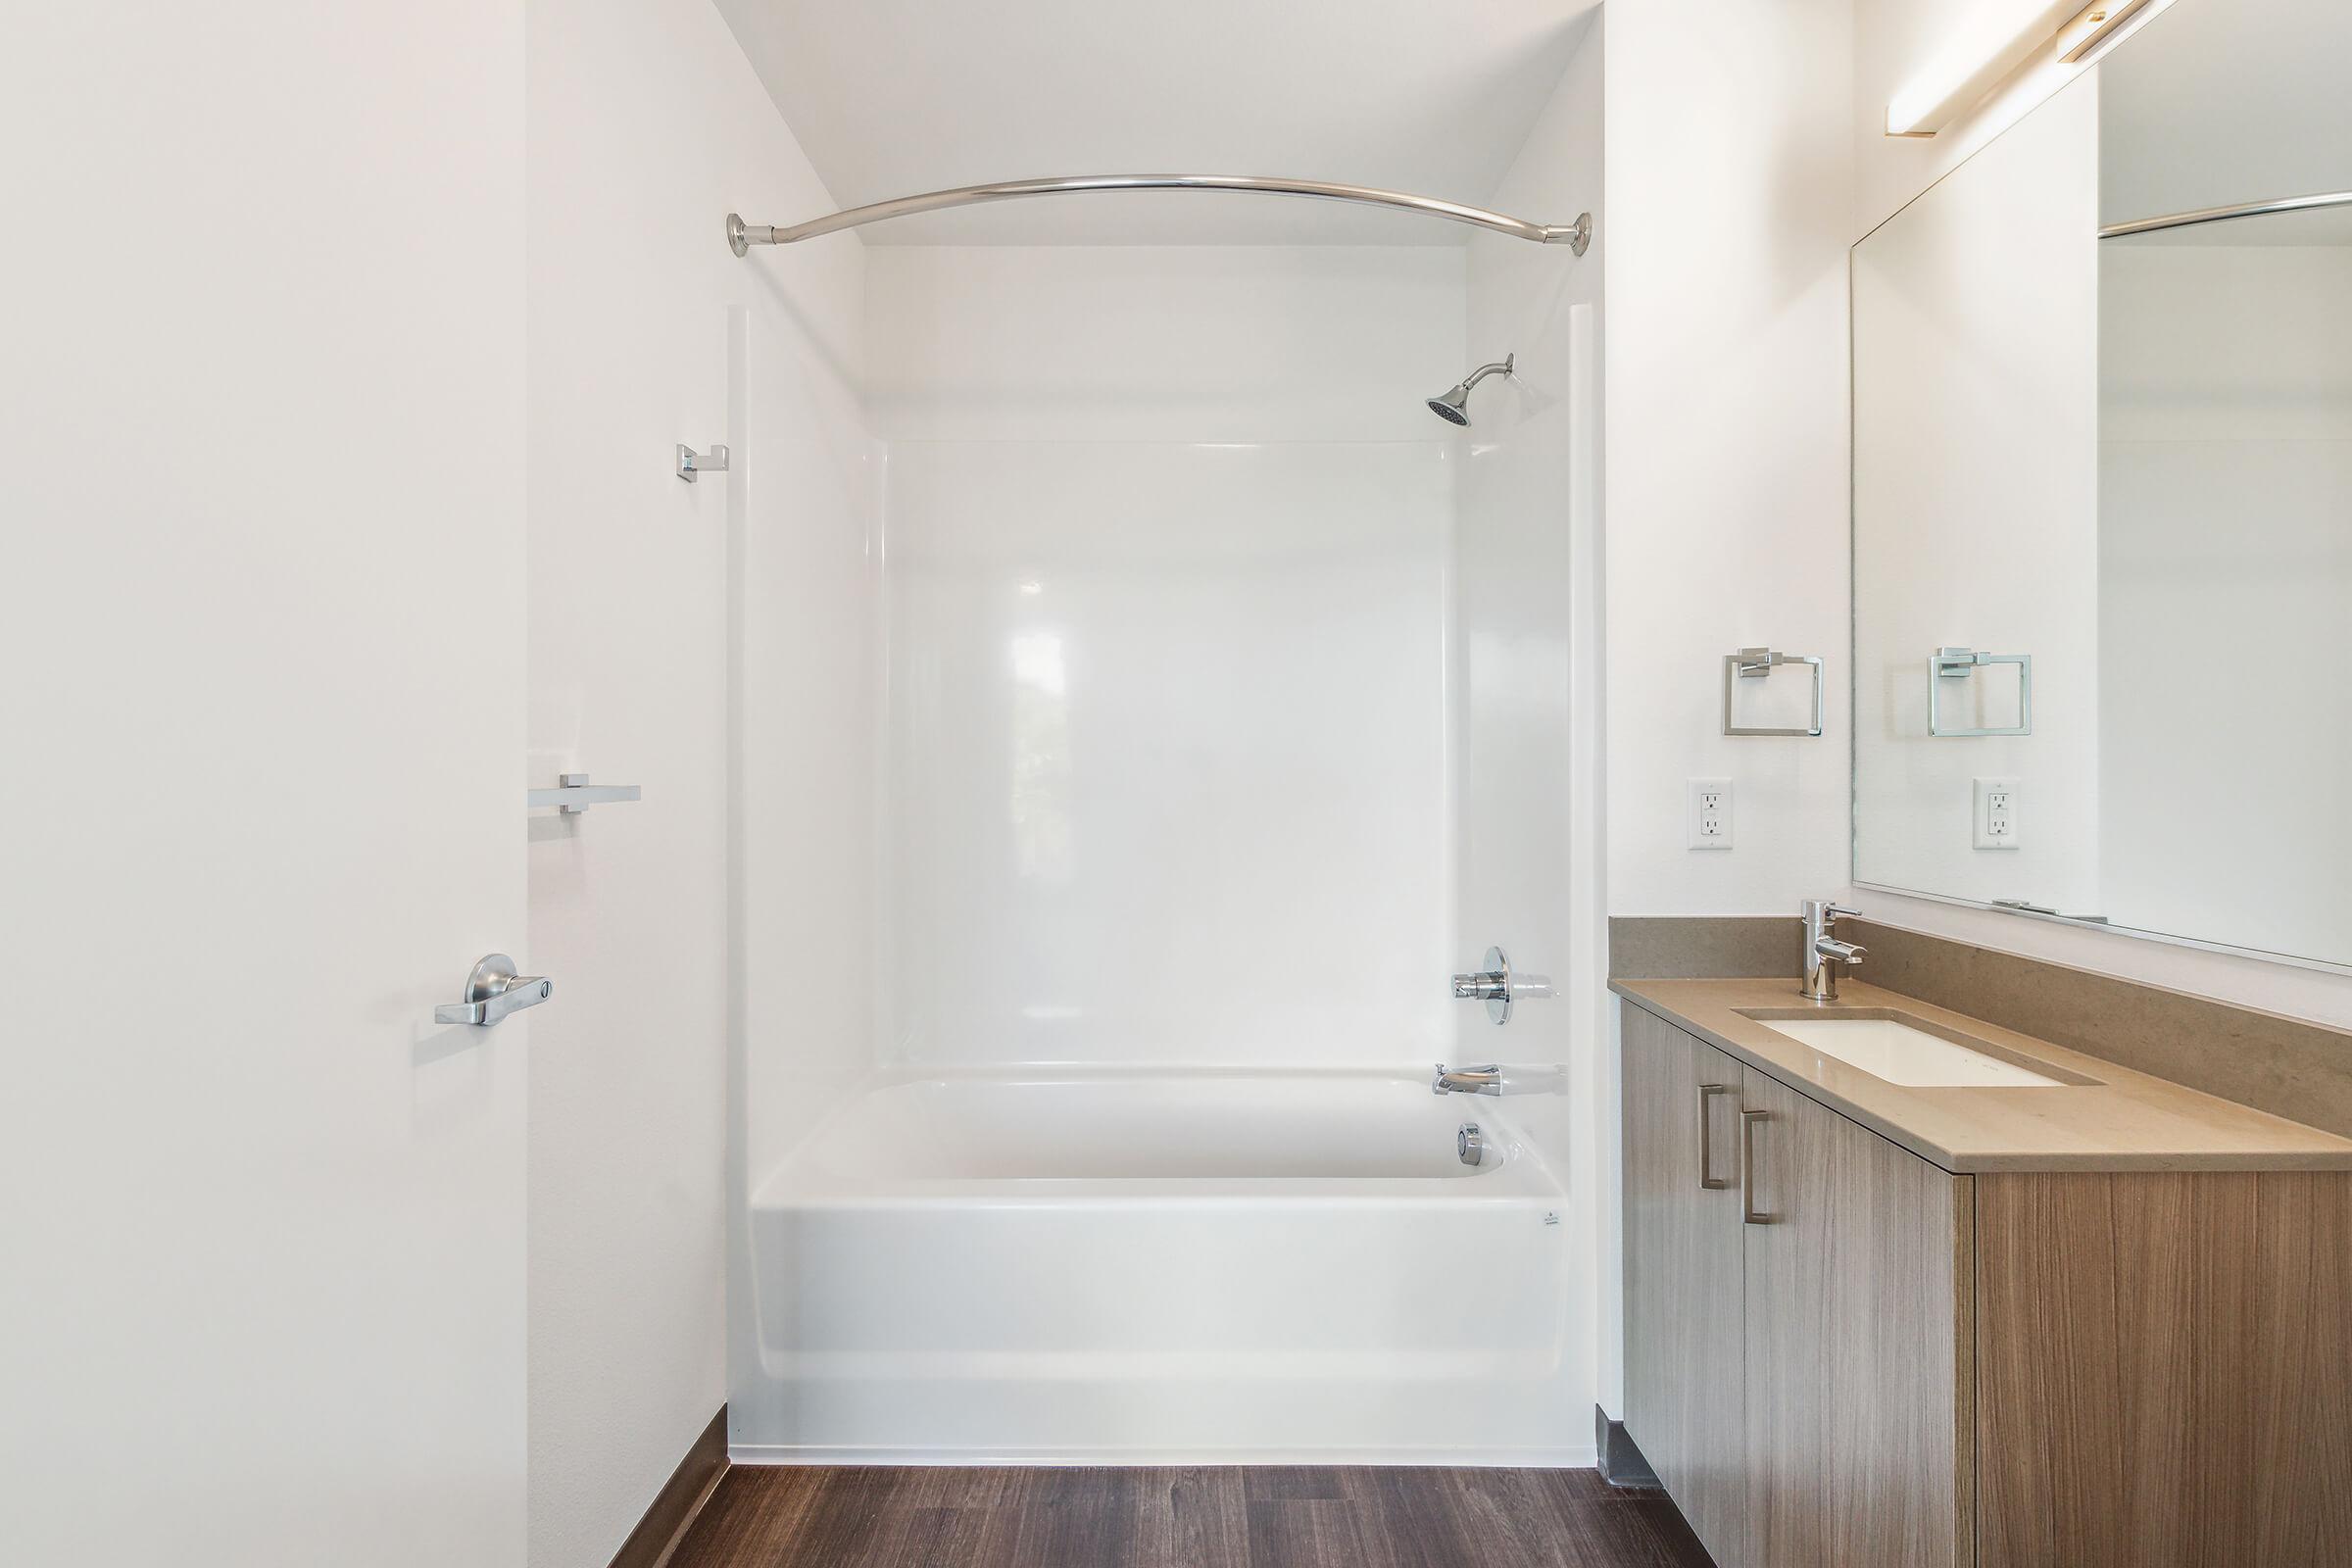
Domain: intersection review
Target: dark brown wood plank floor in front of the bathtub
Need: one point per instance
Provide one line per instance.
(1307, 1517)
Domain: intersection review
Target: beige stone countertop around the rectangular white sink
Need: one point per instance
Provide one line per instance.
(2102, 1118)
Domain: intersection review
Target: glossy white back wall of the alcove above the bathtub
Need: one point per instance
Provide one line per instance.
(1168, 582)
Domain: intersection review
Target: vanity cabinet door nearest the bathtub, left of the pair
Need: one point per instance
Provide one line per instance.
(1683, 1273)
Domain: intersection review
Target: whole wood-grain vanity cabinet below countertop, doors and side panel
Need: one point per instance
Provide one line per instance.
(1862, 1360)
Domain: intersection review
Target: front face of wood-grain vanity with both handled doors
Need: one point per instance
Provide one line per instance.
(1798, 1332)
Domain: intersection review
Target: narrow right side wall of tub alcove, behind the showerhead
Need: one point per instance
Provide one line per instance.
(1528, 683)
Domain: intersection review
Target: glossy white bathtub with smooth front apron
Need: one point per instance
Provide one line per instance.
(1161, 1268)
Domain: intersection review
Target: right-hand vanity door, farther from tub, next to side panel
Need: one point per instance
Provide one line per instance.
(1859, 1362)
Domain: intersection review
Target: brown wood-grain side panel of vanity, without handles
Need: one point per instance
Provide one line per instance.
(2167, 1369)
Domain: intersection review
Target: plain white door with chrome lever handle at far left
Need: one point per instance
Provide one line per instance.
(262, 1261)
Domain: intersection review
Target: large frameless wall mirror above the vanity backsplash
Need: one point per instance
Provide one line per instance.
(2104, 500)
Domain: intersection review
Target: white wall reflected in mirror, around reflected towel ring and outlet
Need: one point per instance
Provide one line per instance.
(1975, 516)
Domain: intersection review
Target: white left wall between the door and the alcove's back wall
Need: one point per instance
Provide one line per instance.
(646, 128)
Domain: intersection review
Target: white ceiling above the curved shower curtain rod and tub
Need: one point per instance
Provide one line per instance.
(893, 98)
